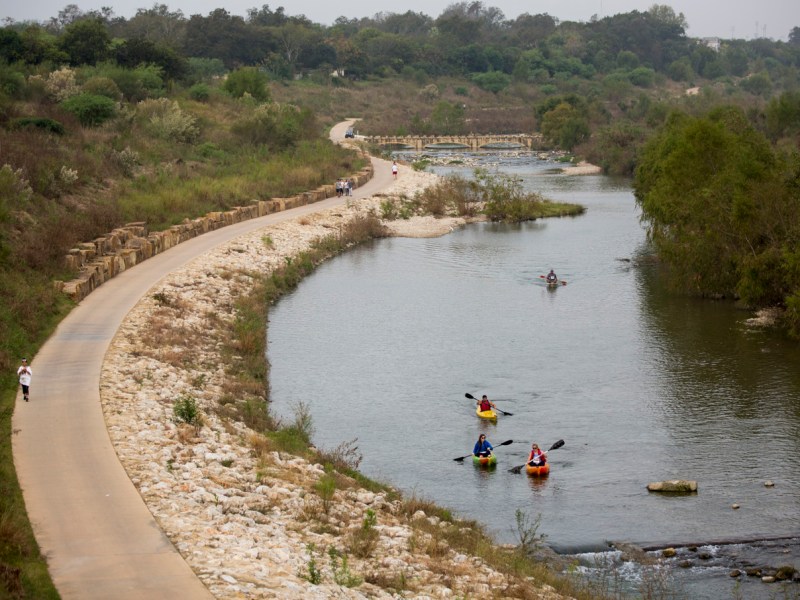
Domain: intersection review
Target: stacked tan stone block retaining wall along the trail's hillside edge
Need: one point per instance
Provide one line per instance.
(109, 255)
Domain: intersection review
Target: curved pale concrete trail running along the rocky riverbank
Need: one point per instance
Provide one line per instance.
(96, 532)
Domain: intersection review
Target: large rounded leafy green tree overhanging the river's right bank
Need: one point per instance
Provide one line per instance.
(721, 207)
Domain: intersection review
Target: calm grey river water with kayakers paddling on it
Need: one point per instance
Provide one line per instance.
(643, 384)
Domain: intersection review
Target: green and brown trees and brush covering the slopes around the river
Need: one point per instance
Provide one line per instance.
(162, 117)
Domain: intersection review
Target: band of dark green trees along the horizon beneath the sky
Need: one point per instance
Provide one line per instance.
(466, 39)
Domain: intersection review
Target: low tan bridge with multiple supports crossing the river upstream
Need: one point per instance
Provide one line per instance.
(486, 141)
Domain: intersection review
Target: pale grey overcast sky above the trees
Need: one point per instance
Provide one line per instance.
(707, 18)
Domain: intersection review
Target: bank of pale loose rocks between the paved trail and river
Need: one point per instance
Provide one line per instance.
(250, 521)
